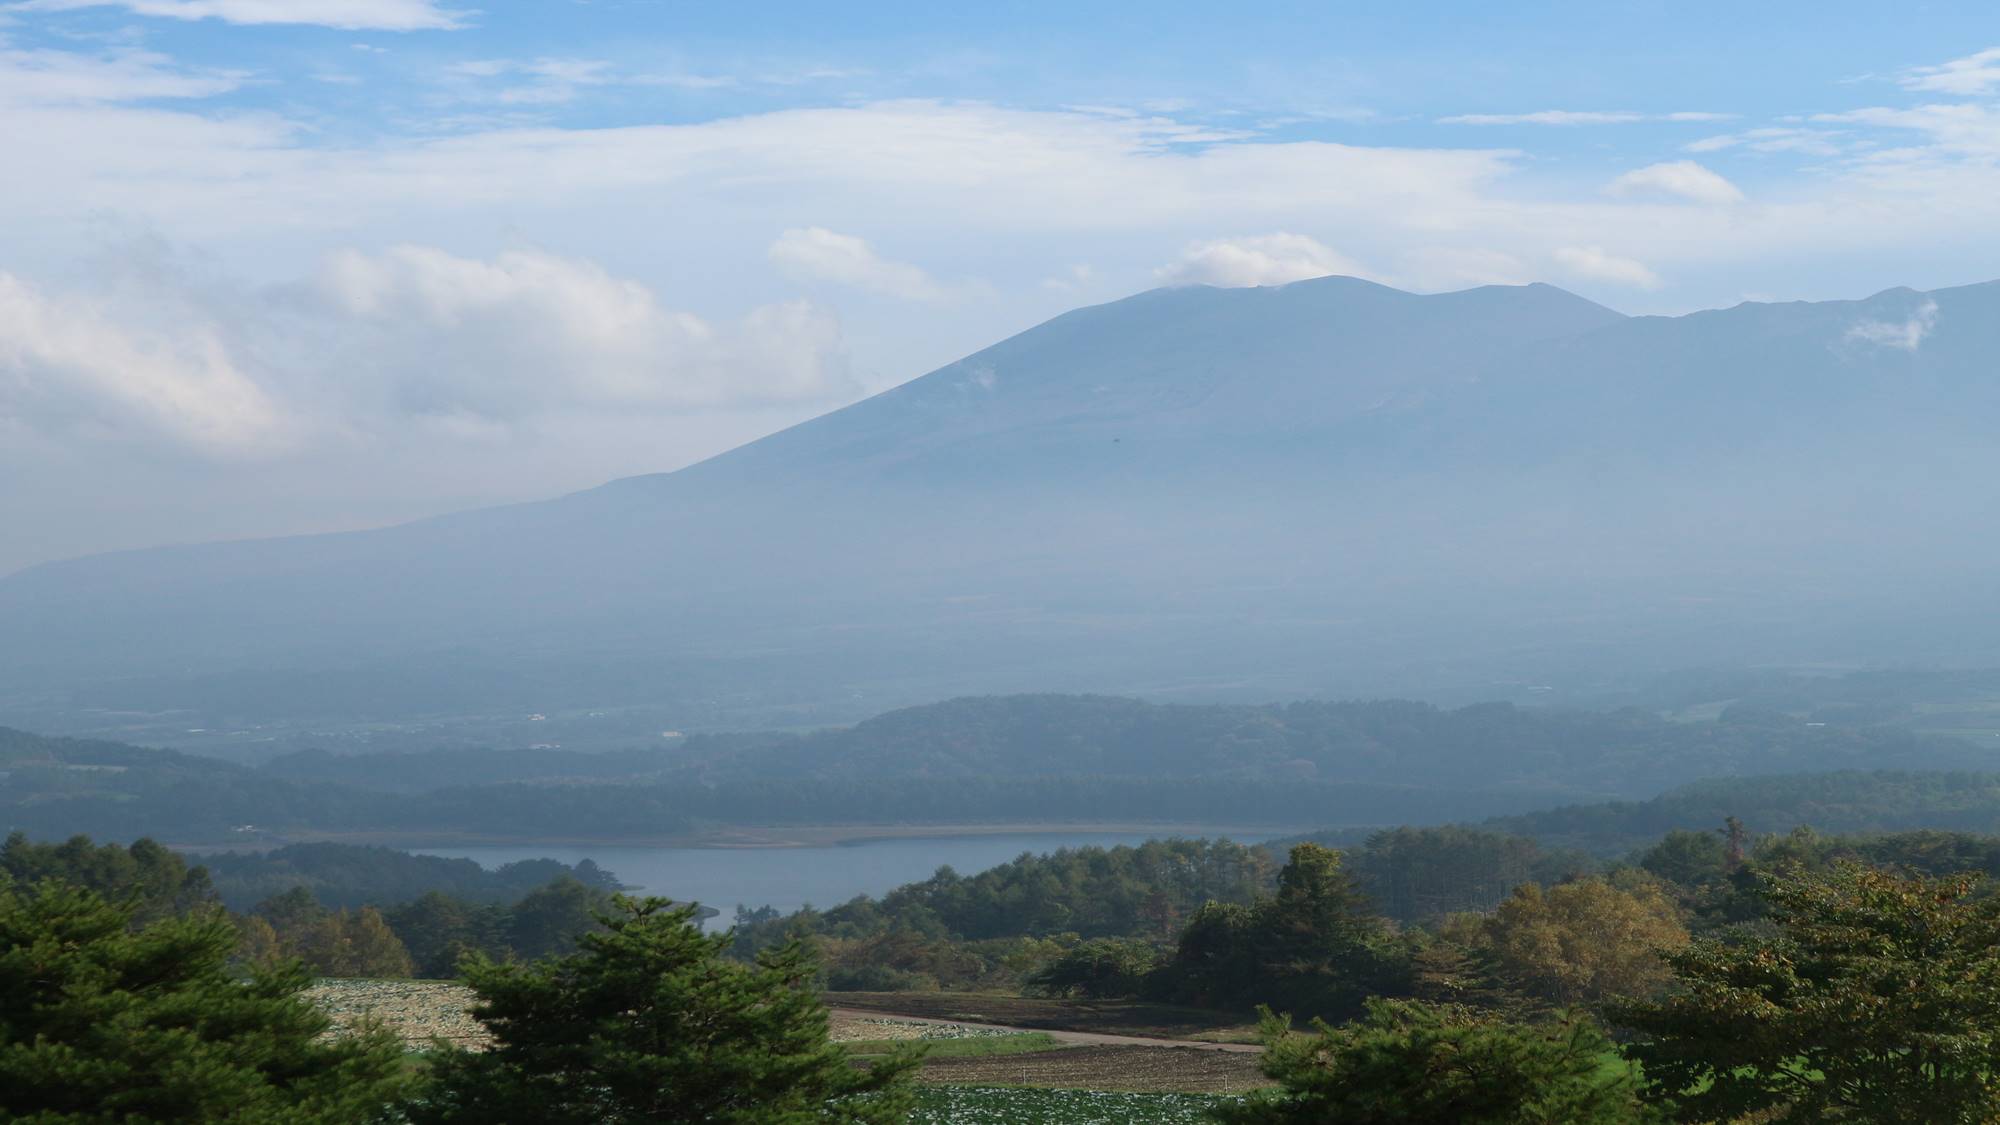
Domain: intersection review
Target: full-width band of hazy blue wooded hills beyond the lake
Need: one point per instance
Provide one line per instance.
(999, 760)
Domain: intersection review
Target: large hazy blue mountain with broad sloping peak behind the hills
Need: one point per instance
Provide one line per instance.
(1315, 489)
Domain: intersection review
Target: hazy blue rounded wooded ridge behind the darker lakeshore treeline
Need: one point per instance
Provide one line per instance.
(1627, 754)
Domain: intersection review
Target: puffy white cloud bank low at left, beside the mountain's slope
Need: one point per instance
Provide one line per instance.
(377, 343)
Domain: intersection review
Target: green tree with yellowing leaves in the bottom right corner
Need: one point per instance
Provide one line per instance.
(1877, 1000)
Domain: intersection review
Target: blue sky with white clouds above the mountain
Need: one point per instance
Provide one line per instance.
(281, 267)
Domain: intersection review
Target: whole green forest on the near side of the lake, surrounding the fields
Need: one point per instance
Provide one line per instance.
(1711, 976)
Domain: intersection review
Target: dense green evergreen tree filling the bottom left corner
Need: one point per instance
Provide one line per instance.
(103, 1022)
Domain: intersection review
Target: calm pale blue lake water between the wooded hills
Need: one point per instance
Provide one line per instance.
(789, 878)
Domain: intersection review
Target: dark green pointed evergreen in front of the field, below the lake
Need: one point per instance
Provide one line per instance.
(649, 1024)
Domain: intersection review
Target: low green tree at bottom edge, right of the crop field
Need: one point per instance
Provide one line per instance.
(1415, 1064)
